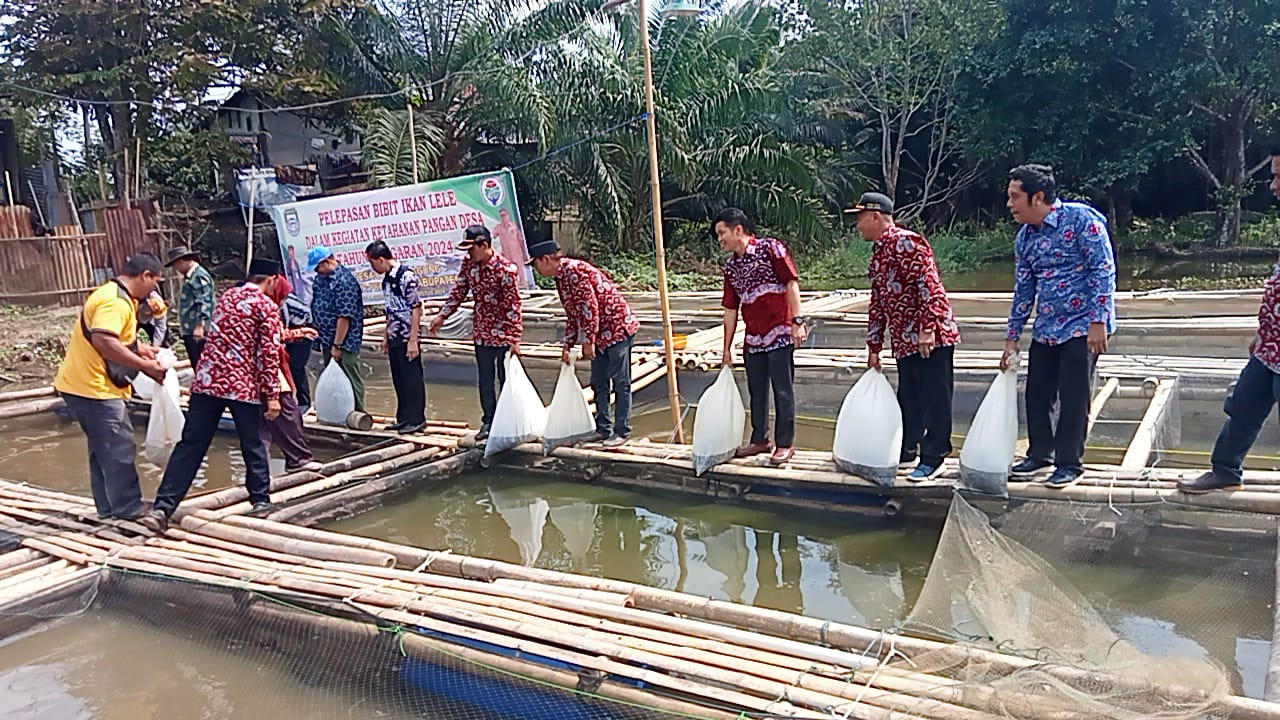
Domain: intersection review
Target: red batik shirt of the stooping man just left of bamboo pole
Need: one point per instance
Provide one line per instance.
(595, 308)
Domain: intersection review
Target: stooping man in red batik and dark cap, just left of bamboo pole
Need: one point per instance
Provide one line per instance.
(601, 320)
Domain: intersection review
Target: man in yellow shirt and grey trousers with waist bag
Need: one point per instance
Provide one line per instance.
(94, 381)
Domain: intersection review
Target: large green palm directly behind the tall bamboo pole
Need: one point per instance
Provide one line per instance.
(723, 110)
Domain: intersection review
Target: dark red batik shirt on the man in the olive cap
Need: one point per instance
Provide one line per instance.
(908, 295)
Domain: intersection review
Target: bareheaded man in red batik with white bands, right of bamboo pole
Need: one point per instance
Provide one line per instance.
(762, 281)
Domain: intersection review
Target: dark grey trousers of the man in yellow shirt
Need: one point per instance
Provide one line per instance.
(112, 475)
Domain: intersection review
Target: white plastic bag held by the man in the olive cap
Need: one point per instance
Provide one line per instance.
(870, 431)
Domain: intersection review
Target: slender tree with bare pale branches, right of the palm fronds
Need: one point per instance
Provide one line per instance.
(889, 71)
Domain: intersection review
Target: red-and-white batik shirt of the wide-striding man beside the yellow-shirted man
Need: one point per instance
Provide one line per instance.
(241, 361)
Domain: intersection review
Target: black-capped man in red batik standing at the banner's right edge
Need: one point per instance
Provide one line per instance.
(497, 325)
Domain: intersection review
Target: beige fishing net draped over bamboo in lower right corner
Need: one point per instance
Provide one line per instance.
(1059, 585)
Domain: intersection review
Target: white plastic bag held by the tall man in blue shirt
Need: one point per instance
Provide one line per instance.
(993, 441)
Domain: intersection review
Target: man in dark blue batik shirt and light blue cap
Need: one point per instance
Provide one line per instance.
(339, 313)
